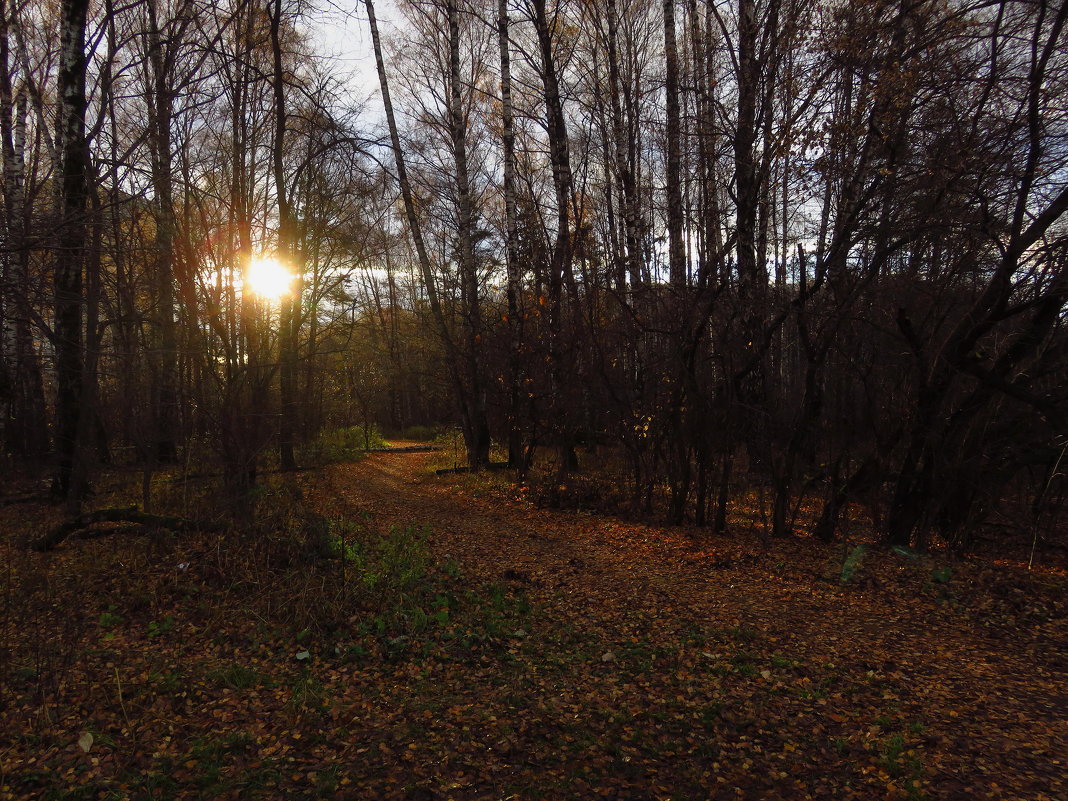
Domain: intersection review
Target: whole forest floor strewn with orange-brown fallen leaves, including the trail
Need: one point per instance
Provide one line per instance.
(387, 634)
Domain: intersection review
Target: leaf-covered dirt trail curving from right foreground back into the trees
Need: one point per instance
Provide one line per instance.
(991, 702)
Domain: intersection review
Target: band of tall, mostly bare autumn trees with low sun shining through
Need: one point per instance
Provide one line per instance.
(815, 248)
